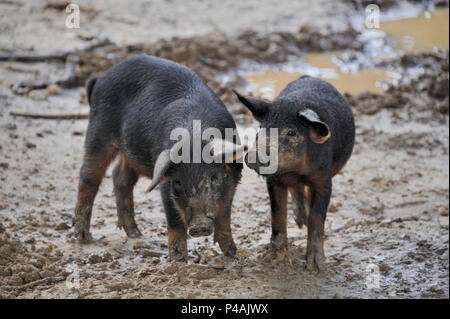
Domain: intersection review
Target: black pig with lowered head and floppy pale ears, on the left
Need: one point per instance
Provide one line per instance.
(134, 107)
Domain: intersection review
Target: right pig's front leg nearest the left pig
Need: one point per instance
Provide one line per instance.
(278, 202)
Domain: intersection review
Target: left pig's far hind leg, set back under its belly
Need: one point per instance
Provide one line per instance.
(124, 179)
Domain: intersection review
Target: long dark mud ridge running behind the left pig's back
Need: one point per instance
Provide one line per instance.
(208, 55)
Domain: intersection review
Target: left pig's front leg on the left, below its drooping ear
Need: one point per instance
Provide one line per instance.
(177, 230)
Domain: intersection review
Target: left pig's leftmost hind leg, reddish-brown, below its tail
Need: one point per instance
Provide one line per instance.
(96, 160)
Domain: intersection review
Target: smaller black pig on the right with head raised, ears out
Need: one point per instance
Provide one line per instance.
(316, 134)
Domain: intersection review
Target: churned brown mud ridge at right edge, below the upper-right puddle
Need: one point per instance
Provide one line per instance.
(424, 98)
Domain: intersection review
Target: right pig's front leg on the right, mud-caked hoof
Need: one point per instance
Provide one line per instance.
(320, 198)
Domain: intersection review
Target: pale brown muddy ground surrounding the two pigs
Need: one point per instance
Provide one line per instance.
(388, 213)
